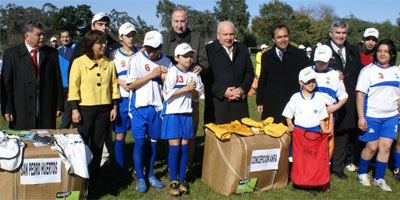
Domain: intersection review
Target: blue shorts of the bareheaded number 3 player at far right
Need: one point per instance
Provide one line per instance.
(379, 127)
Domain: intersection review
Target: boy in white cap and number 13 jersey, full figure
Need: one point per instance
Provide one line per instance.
(180, 88)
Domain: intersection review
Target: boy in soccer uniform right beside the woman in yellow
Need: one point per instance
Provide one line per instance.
(122, 124)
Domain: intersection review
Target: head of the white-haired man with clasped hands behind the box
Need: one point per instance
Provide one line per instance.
(226, 33)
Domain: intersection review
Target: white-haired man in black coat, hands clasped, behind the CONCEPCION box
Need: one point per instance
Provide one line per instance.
(230, 76)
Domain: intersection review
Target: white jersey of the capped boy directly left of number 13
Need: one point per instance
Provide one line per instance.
(140, 65)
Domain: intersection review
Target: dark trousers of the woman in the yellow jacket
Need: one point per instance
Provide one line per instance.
(94, 128)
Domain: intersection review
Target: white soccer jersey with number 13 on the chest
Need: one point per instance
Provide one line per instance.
(176, 79)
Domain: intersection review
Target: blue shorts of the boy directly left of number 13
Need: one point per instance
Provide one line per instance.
(146, 120)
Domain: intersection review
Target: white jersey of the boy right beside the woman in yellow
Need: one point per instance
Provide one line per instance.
(121, 61)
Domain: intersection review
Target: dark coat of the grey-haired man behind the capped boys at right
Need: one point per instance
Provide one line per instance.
(346, 117)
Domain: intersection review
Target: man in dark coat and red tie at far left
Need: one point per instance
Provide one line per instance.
(31, 88)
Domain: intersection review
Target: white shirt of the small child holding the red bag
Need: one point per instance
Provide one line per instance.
(307, 112)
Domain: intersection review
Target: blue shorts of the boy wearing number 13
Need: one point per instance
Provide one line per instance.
(176, 126)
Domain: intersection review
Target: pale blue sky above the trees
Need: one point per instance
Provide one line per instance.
(368, 10)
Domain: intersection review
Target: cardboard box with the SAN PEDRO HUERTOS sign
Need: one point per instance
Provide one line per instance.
(69, 185)
